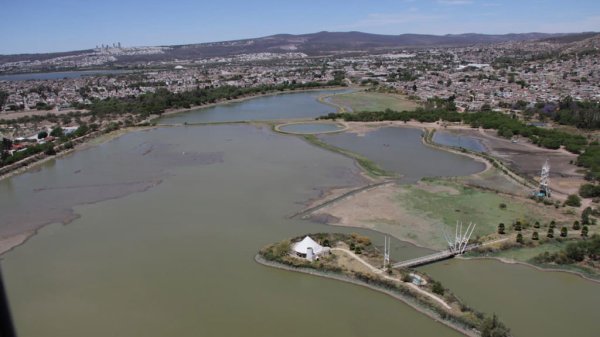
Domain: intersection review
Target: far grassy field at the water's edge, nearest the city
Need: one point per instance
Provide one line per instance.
(372, 101)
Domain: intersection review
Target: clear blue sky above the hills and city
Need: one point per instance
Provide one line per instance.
(60, 25)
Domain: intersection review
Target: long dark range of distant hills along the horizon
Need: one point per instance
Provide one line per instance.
(321, 43)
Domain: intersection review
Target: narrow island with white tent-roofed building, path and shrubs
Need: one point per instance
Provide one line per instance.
(353, 258)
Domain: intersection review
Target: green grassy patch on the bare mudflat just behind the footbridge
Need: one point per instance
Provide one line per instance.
(446, 202)
